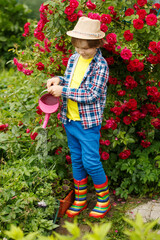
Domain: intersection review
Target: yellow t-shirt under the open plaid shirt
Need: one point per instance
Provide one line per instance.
(80, 69)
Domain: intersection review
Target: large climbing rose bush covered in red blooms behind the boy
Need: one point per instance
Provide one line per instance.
(132, 50)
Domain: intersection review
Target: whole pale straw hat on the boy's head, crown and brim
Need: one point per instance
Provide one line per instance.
(87, 28)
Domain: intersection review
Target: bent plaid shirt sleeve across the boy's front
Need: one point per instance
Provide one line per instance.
(89, 94)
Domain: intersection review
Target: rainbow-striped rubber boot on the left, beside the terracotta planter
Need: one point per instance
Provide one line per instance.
(80, 202)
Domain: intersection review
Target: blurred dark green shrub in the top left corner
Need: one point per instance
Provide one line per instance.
(13, 16)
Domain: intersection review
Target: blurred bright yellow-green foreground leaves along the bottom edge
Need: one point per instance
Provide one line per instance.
(140, 231)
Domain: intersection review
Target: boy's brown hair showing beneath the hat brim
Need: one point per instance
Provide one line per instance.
(91, 43)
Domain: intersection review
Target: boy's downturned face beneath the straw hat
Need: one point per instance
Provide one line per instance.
(84, 50)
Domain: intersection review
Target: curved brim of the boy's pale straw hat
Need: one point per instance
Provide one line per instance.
(86, 36)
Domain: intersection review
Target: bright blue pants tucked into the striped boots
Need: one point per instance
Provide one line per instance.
(84, 149)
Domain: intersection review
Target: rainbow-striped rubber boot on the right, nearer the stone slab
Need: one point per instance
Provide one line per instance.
(103, 204)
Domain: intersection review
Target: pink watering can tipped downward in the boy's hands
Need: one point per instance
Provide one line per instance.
(48, 104)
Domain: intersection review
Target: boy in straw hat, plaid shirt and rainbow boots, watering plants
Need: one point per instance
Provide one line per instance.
(83, 89)
